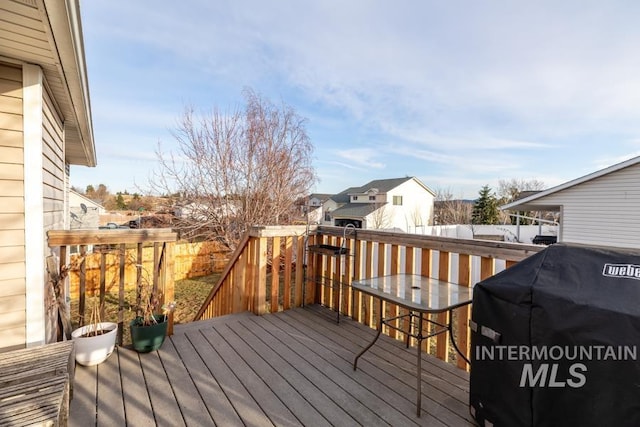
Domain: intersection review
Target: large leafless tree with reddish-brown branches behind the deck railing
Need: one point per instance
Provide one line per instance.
(237, 169)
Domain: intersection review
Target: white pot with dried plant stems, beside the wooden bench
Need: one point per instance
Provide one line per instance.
(95, 341)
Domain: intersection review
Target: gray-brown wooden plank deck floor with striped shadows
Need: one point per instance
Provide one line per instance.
(285, 369)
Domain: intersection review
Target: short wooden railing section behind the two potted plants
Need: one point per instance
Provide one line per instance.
(121, 253)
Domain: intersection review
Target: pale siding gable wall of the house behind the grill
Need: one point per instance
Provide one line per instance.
(603, 211)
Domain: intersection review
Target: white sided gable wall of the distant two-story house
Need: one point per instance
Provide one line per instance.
(416, 208)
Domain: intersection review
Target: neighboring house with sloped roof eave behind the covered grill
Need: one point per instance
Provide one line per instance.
(597, 209)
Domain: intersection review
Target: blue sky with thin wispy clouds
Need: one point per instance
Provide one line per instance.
(457, 93)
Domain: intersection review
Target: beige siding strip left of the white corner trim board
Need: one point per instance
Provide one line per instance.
(12, 224)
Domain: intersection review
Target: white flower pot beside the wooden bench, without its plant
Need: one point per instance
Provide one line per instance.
(96, 349)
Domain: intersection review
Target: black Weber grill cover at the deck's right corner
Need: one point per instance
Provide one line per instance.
(582, 305)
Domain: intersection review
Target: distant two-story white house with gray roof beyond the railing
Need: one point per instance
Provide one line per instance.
(404, 204)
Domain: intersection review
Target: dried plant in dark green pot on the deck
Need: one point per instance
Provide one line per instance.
(149, 328)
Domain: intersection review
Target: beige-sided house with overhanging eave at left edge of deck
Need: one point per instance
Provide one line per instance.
(45, 126)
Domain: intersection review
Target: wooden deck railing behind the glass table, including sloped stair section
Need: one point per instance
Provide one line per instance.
(273, 271)
